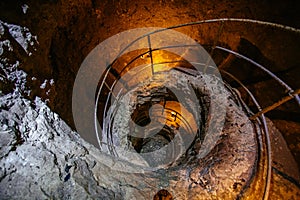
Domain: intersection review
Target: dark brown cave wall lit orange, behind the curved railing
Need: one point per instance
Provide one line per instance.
(68, 30)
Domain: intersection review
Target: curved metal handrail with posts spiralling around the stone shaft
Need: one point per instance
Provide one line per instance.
(291, 93)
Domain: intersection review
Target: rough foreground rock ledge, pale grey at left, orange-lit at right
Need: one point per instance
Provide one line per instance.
(41, 157)
